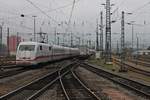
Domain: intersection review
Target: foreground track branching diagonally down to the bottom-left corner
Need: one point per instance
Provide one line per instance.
(34, 89)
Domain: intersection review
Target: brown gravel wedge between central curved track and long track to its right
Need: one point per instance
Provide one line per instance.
(105, 87)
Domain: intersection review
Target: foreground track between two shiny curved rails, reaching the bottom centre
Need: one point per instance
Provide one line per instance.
(74, 89)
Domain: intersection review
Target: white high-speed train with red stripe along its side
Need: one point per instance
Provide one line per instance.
(32, 53)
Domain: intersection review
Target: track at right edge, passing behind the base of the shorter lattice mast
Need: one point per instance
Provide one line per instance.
(134, 69)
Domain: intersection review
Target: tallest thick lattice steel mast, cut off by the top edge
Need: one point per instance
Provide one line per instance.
(108, 34)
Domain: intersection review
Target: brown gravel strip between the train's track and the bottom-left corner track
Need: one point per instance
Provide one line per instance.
(10, 83)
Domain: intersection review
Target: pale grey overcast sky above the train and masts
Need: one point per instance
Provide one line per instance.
(85, 11)
